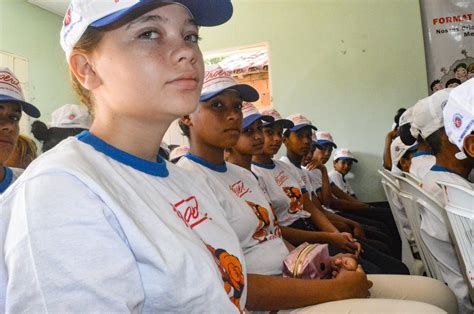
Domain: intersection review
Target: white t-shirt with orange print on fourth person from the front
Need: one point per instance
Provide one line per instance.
(285, 189)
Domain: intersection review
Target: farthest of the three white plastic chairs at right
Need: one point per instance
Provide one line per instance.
(390, 186)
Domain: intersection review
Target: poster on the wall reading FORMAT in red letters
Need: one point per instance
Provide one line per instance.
(448, 32)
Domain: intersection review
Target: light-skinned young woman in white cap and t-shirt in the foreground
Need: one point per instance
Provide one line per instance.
(100, 223)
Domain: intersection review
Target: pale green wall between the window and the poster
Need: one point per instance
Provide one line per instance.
(345, 64)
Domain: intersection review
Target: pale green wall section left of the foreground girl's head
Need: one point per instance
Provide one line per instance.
(33, 33)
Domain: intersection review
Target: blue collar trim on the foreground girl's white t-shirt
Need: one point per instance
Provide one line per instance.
(157, 169)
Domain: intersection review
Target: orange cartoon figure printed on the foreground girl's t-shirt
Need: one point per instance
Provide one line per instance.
(231, 272)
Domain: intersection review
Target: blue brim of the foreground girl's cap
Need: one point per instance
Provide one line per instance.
(205, 12)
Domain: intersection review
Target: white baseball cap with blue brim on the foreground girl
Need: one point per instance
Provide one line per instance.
(99, 13)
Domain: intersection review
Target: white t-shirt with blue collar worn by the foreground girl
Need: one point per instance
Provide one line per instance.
(91, 228)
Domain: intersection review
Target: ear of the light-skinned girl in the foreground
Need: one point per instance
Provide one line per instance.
(83, 69)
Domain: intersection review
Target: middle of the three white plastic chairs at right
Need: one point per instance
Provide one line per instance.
(413, 199)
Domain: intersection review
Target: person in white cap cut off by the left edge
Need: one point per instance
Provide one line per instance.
(12, 103)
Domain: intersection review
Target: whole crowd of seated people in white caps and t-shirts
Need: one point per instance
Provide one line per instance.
(109, 219)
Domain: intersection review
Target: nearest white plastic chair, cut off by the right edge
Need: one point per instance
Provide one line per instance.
(460, 212)
